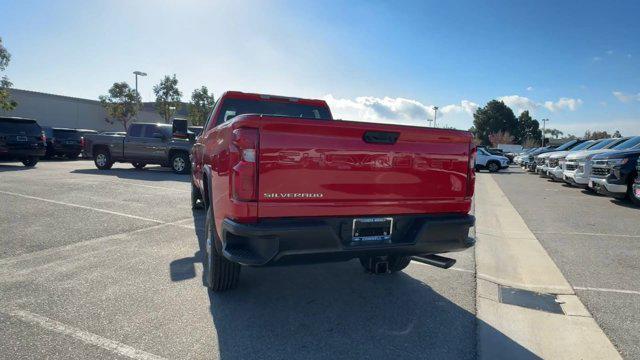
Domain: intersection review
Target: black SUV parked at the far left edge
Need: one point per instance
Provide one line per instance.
(21, 139)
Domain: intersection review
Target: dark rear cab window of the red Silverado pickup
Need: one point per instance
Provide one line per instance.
(234, 107)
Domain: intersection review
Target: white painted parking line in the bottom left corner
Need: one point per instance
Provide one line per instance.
(84, 336)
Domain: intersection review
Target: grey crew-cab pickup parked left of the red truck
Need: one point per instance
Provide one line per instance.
(144, 143)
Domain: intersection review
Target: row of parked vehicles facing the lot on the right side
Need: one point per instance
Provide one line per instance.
(606, 166)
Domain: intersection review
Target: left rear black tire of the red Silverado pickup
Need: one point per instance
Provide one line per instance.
(220, 273)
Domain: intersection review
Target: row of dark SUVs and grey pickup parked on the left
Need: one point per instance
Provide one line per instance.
(24, 140)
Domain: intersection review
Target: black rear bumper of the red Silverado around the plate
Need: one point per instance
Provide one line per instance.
(274, 242)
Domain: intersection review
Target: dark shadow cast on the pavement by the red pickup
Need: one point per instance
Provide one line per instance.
(338, 311)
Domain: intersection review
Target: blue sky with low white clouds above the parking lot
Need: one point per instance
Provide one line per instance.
(576, 63)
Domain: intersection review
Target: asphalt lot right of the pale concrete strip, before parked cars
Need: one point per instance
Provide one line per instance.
(594, 240)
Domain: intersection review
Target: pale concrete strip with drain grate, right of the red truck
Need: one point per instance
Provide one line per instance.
(509, 254)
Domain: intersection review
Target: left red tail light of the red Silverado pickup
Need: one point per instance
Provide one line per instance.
(244, 174)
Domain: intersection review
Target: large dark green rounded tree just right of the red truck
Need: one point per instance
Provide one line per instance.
(493, 118)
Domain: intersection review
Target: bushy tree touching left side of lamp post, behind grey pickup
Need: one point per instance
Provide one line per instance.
(122, 103)
